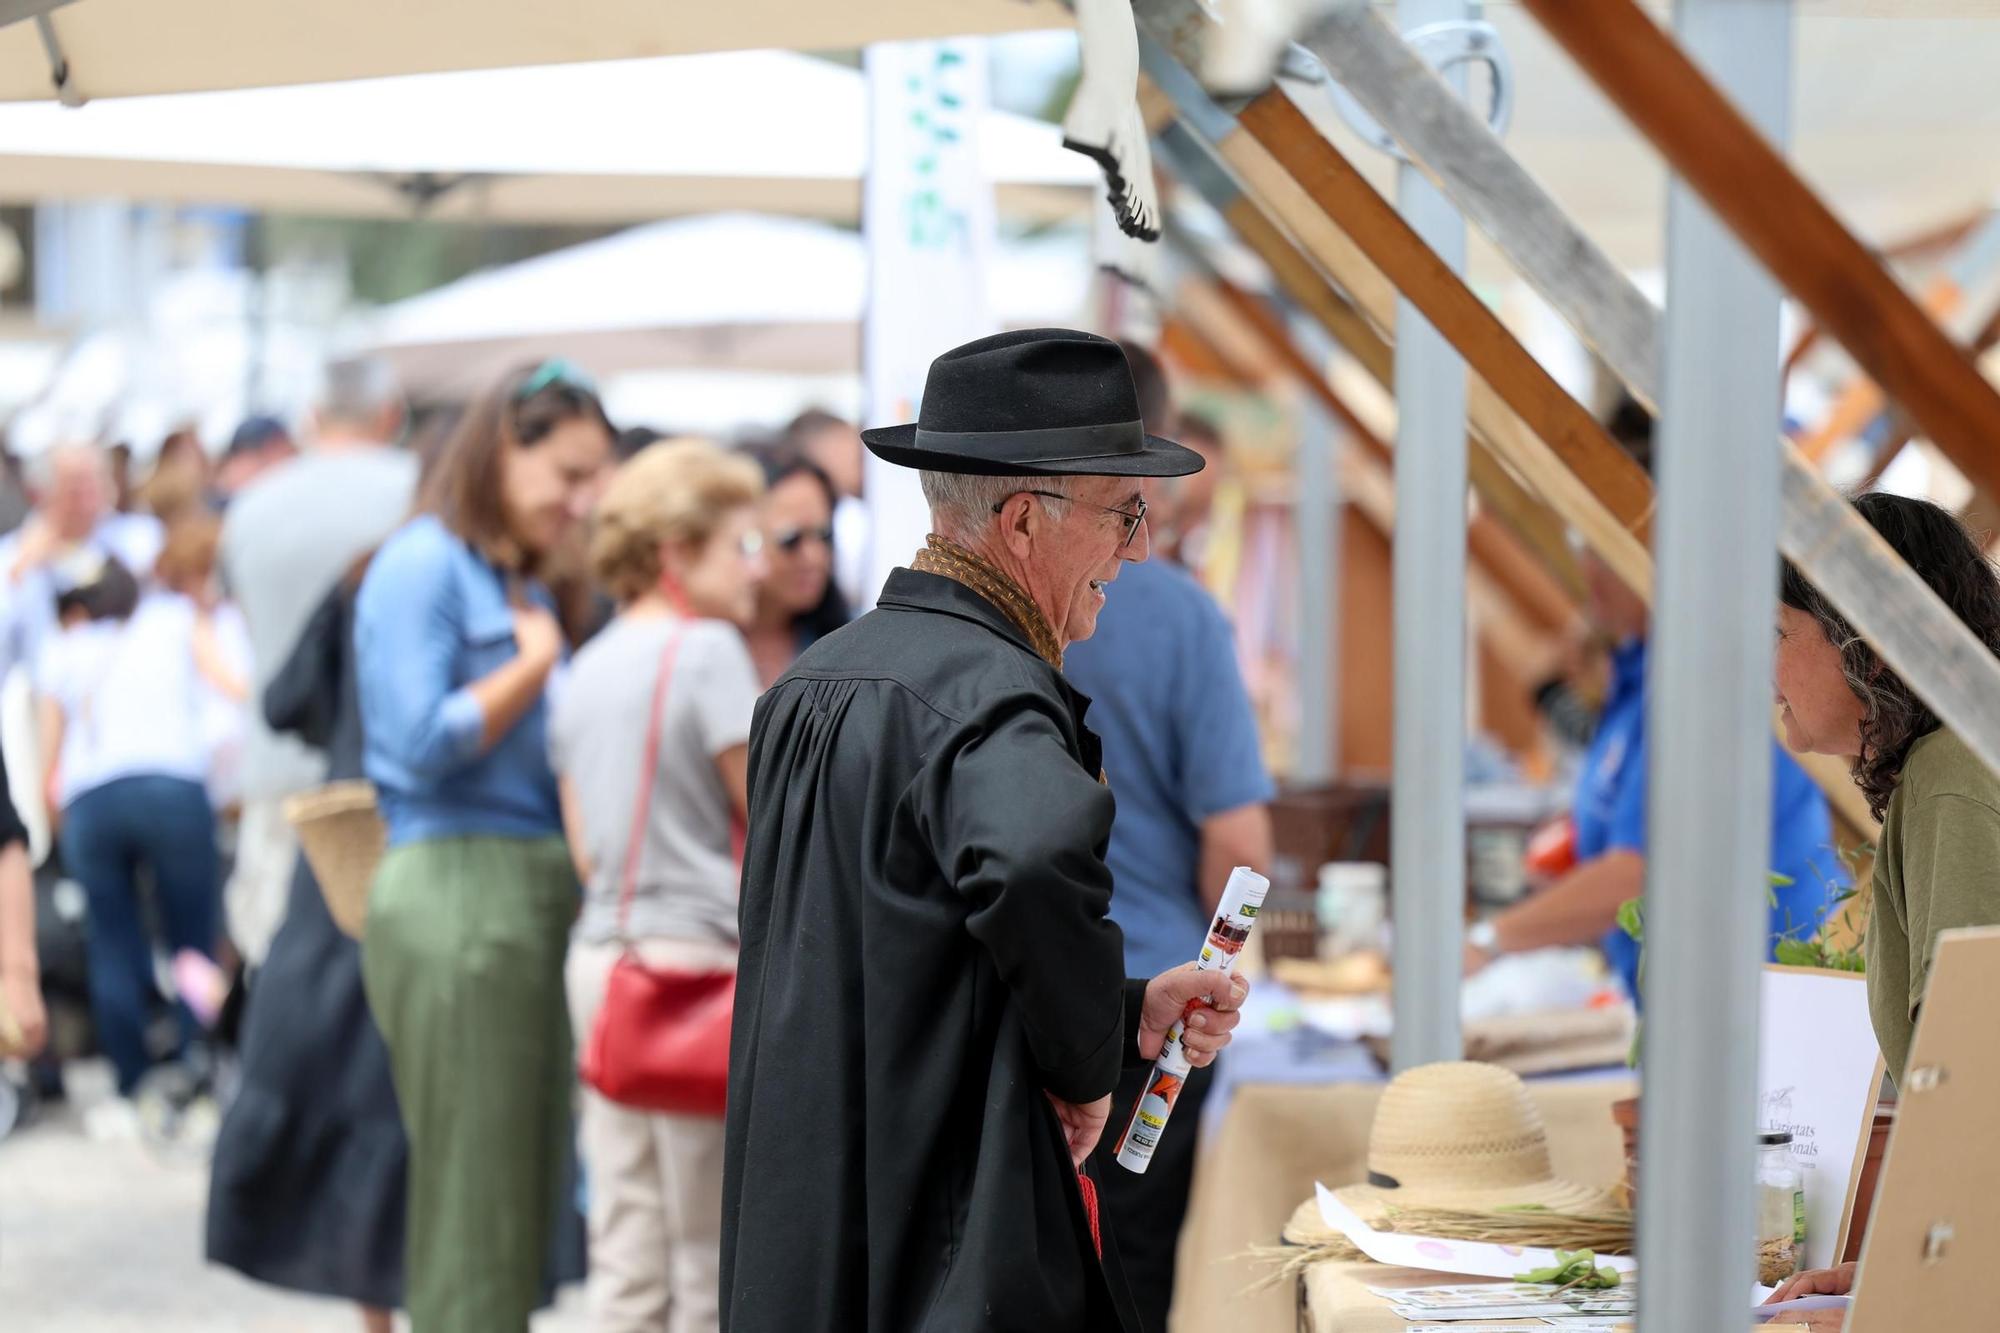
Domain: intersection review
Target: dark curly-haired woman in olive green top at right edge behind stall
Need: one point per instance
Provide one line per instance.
(1939, 856)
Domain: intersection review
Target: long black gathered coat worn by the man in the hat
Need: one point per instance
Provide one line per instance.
(925, 950)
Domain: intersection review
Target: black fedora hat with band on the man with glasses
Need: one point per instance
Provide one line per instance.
(1033, 403)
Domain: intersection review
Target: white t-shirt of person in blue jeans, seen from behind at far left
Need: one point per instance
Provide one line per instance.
(133, 700)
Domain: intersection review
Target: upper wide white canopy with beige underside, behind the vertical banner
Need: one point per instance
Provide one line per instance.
(619, 141)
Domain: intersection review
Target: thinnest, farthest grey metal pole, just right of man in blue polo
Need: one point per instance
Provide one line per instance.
(1319, 587)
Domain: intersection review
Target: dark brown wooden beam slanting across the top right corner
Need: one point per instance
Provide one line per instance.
(1777, 215)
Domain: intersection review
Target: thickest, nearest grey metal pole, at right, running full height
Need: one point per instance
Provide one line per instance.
(1709, 724)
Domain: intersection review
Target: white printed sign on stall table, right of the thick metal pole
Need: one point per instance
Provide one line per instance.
(1819, 1074)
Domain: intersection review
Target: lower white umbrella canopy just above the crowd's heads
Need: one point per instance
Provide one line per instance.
(717, 293)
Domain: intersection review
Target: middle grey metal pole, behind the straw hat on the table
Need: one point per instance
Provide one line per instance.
(1429, 814)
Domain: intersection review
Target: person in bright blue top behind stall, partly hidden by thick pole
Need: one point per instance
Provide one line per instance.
(1611, 806)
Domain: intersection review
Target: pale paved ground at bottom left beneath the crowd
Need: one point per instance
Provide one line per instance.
(107, 1238)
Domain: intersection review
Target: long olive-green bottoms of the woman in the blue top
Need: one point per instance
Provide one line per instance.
(463, 964)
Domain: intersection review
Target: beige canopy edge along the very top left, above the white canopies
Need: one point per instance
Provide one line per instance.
(141, 47)
